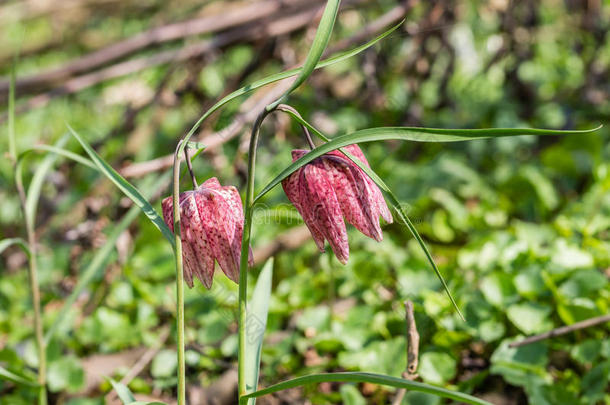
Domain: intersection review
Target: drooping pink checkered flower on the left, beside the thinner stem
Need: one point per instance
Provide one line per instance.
(212, 221)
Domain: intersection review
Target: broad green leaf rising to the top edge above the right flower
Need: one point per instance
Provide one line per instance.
(325, 29)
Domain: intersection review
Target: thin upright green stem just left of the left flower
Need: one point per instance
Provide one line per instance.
(179, 280)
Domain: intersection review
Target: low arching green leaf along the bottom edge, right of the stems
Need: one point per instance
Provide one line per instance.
(368, 378)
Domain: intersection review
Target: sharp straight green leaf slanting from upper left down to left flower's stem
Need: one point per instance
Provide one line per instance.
(127, 188)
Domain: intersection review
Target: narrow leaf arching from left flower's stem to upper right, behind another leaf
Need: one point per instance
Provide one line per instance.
(284, 75)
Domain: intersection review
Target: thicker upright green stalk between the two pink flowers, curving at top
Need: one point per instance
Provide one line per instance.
(243, 263)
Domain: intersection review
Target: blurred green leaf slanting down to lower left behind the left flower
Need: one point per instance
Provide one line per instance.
(96, 265)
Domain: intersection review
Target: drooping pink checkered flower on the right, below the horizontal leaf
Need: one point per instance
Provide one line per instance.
(331, 188)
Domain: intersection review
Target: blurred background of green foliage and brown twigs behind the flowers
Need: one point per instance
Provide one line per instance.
(519, 227)
